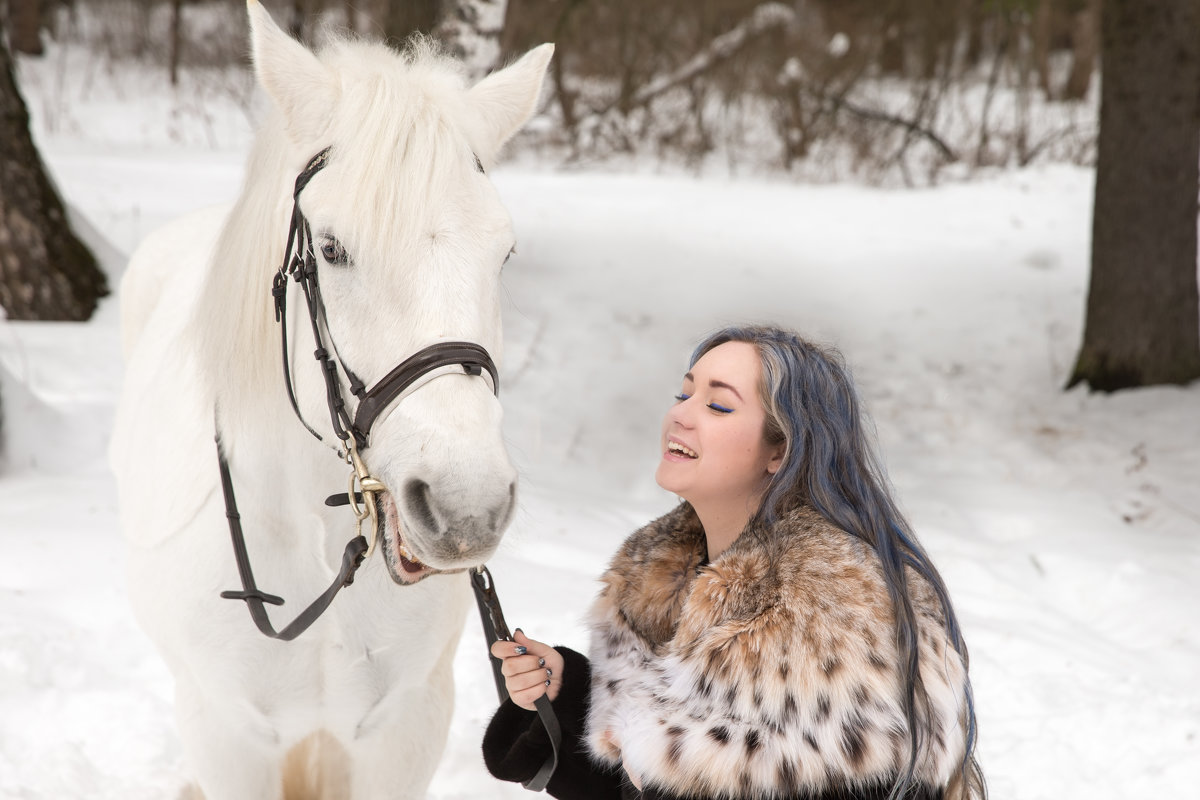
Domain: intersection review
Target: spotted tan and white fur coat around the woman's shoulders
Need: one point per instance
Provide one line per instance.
(771, 672)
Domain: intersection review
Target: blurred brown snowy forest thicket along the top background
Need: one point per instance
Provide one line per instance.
(899, 91)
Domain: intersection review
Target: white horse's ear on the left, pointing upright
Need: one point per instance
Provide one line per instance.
(302, 87)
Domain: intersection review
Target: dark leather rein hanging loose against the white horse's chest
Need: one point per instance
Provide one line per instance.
(353, 556)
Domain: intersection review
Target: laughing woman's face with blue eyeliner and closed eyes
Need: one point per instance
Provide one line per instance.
(713, 448)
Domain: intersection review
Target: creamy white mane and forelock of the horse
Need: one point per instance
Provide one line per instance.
(399, 139)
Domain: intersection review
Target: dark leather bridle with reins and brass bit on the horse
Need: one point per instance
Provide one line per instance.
(355, 436)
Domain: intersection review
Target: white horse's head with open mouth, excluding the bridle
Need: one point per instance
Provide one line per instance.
(410, 239)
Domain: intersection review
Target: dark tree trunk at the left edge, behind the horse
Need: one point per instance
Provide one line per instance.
(46, 273)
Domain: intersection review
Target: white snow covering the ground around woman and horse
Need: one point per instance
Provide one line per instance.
(1066, 525)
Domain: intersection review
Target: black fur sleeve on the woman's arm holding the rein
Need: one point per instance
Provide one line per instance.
(517, 745)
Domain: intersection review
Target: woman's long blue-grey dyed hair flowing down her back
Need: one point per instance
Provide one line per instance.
(831, 465)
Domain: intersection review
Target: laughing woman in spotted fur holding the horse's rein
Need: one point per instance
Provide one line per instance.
(781, 634)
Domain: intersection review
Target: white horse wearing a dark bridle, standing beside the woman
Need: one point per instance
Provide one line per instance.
(410, 238)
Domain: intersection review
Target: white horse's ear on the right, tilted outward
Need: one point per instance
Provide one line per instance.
(507, 99)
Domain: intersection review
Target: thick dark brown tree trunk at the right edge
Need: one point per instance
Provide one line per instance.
(1143, 324)
